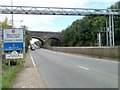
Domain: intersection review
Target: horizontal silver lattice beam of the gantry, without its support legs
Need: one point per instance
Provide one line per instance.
(56, 11)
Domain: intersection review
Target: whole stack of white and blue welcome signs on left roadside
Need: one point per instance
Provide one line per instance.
(13, 43)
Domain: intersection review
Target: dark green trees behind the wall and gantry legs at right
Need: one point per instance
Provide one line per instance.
(84, 32)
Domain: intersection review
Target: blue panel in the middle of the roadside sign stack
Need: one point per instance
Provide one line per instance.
(14, 46)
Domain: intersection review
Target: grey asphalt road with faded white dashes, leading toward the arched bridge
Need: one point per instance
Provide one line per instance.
(61, 70)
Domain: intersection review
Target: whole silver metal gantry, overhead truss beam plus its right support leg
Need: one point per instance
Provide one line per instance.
(109, 13)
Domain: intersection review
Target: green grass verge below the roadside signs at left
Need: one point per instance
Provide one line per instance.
(9, 73)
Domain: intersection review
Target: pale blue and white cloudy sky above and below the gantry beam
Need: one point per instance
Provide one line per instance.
(51, 23)
